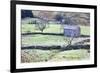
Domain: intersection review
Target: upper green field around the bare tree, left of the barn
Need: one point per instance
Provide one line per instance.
(49, 29)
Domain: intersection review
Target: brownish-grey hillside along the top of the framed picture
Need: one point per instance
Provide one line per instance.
(77, 17)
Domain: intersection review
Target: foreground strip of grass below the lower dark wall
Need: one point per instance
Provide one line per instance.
(37, 55)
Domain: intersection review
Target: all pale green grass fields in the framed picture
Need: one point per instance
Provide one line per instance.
(38, 55)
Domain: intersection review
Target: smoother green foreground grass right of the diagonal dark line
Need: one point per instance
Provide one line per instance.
(71, 55)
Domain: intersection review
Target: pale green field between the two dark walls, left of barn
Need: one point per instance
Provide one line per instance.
(43, 40)
